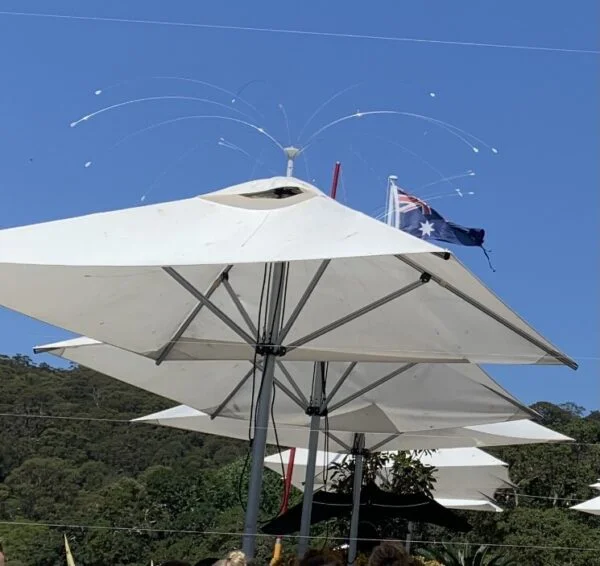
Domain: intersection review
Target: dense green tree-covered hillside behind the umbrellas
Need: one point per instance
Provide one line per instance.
(127, 493)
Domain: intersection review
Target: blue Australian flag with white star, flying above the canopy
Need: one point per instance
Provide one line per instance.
(420, 220)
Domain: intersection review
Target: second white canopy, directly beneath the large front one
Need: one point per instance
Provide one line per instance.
(422, 397)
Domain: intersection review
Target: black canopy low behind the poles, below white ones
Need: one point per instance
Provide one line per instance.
(374, 504)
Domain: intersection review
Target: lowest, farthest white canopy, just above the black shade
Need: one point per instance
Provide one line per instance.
(462, 474)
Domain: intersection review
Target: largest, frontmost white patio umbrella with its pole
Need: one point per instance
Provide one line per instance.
(209, 278)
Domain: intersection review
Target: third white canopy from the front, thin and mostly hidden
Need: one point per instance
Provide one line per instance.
(497, 434)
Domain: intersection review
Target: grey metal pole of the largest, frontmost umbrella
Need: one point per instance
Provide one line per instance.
(269, 350)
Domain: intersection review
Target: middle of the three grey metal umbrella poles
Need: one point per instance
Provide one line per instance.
(314, 410)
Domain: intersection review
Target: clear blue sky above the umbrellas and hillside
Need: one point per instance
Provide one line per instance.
(537, 199)
